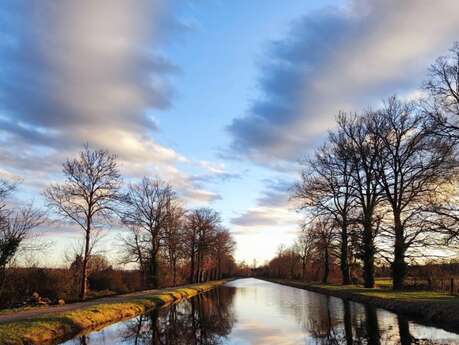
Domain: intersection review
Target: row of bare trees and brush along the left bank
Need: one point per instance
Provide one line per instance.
(166, 243)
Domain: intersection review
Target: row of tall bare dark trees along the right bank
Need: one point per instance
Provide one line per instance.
(383, 187)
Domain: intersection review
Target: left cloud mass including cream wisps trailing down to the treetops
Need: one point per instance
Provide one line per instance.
(87, 72)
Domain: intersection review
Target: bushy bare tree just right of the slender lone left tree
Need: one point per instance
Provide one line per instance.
(147, 212)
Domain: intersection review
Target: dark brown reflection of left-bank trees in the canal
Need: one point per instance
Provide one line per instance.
(204, 320)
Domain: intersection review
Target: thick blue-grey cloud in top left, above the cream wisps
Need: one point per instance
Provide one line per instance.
(87, 65)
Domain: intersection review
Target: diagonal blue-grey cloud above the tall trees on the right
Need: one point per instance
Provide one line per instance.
(339, 59)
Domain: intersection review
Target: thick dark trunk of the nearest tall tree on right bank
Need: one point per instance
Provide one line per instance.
(399, 266)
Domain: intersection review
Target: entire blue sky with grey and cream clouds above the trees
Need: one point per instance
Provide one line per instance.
(220, 98)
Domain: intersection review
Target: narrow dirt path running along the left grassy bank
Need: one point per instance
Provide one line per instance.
(44, 311)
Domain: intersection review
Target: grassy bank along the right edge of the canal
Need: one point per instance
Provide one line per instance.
(435, 308)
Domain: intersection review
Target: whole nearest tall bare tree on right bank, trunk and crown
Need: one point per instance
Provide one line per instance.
(413, 166)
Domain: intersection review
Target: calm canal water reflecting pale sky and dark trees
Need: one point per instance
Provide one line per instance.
(250, 311)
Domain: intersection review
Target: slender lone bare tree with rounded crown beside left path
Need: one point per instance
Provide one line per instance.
(87, 196)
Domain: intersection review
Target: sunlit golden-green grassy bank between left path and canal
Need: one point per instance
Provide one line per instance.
(54, 327)
